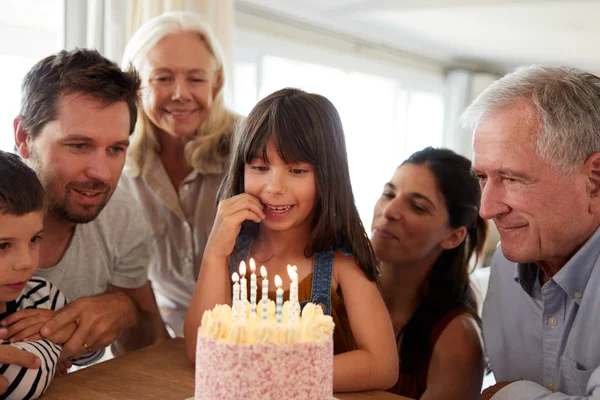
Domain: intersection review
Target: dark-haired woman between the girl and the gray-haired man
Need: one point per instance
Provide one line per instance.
(425, 230)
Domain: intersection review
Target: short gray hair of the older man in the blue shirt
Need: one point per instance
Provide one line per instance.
(565, 106)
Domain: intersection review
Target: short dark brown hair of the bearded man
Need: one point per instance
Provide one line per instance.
(77, 71)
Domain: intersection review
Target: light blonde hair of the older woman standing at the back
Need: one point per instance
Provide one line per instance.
(208, 151)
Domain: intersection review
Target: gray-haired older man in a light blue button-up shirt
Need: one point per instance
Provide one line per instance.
(537, 156)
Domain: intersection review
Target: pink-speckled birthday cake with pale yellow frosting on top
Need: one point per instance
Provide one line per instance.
(269, 353)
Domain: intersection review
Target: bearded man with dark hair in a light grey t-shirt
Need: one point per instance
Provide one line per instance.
(78, 110)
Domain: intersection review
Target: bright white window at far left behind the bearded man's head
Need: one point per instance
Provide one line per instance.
(30, 30)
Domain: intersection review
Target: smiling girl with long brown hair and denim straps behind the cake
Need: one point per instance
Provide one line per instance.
(287, 199)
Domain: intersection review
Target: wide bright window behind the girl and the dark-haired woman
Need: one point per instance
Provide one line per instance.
(385, 117)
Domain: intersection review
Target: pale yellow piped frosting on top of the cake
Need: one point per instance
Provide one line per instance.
(219, 324)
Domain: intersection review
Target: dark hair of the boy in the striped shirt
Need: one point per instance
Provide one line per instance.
(20, 189)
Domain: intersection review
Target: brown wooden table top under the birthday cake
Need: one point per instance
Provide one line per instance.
(159, 372)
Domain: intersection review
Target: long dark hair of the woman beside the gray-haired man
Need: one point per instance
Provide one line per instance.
(448, 285)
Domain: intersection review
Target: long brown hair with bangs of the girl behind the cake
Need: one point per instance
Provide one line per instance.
(305, 127)
